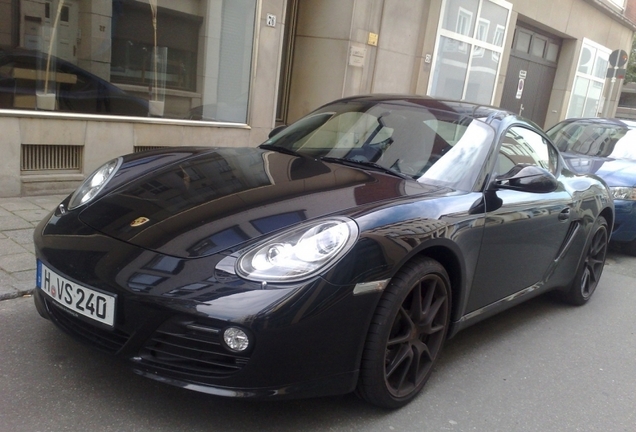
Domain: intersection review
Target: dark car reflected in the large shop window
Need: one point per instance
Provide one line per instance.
(76, 89)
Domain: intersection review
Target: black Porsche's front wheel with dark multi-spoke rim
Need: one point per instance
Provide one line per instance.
(406, 335)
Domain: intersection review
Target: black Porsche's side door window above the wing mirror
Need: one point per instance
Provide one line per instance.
(523, 146)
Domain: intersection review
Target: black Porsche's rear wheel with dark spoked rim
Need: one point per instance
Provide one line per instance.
(591, 267)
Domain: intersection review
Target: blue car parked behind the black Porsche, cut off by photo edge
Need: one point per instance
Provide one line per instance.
(607, 148)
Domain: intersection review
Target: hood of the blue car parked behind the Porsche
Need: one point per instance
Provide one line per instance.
(615, 172)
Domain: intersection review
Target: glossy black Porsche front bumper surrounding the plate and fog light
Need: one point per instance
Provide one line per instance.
(307, 340)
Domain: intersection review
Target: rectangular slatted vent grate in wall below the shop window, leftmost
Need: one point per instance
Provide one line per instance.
(51, 157)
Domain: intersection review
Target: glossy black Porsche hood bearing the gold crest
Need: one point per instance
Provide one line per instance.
(219, 199)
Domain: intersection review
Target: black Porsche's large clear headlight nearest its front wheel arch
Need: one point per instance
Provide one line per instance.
(298, 253)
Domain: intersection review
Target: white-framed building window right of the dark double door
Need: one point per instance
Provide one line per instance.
(589, 81)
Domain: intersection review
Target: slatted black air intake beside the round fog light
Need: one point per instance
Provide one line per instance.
(192, 350)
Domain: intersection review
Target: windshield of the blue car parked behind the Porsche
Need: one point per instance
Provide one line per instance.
(613, 140)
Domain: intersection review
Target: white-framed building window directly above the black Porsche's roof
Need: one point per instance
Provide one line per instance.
(468, 49)
